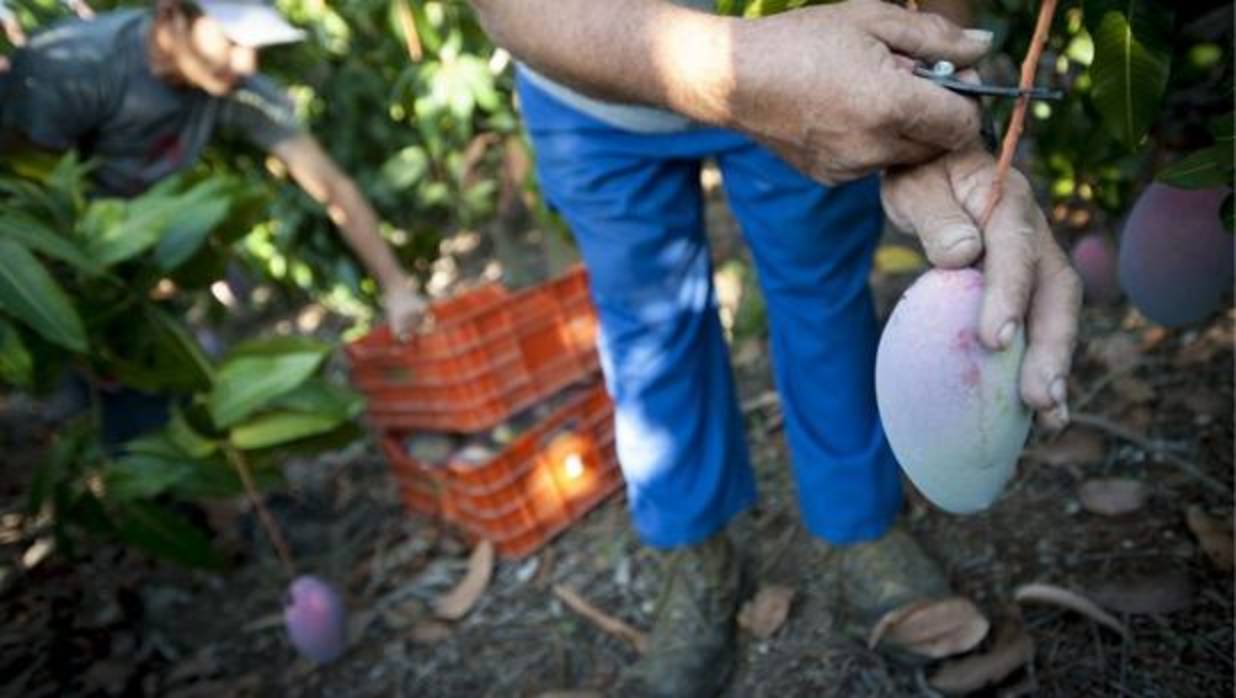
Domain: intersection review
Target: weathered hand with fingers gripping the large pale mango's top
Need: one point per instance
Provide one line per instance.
(1029, 277)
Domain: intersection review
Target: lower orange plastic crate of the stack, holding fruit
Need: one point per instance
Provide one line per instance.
(546, 480)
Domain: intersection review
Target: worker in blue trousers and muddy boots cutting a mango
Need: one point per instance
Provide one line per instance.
(624, 102)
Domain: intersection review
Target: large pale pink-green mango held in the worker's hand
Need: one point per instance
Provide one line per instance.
(951, 408)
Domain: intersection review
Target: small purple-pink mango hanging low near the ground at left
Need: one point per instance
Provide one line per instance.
(316, 620)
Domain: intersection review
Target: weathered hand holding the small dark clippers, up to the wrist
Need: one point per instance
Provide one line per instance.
(831, 88)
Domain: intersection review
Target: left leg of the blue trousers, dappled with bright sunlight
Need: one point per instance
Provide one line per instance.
(633, 202)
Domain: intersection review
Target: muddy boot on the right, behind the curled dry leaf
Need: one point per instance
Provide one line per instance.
(886, 575)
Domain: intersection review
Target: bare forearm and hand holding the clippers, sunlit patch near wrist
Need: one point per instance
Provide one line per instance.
(829, 87)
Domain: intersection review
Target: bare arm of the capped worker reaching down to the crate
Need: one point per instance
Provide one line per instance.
(321, 179)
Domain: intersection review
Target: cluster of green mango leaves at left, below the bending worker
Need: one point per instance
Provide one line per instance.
(83, 291)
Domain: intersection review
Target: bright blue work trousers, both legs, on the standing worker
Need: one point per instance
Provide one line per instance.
(635, 204)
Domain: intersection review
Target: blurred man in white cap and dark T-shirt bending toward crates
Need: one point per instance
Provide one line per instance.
(143, 92)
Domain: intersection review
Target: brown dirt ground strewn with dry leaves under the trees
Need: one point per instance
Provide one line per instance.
(1154, 406)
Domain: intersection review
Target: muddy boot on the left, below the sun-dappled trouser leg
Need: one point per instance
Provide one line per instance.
(692, 648)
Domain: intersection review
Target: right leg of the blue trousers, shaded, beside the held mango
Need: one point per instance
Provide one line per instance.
(813, 248)
